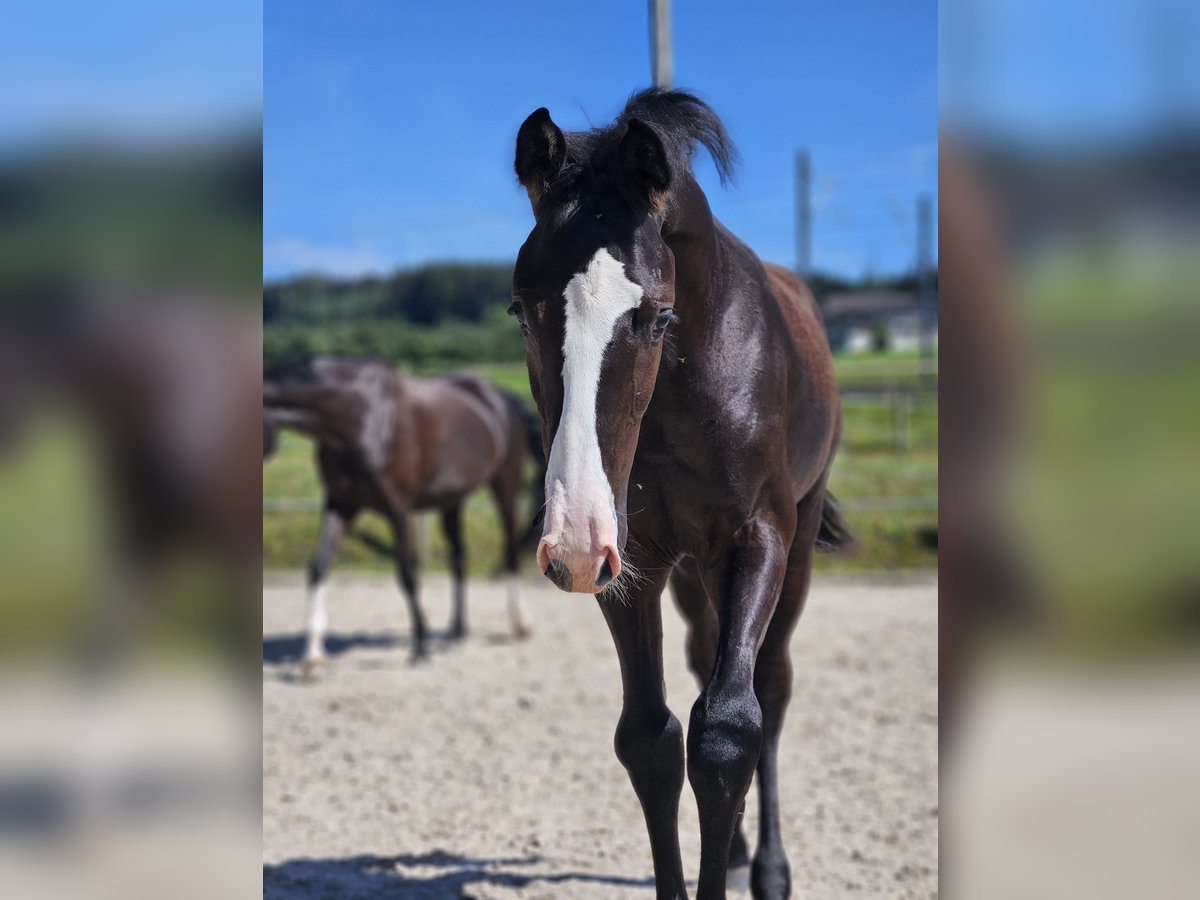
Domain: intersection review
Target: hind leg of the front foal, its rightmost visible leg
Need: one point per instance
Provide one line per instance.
(771, 875)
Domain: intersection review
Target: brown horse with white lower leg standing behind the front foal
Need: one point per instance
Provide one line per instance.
(397, 445)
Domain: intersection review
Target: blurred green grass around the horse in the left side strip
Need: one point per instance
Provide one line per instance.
(58, 549)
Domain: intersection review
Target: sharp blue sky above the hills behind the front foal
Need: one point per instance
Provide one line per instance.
(389, 127)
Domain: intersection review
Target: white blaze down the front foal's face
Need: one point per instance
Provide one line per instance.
(577, 488)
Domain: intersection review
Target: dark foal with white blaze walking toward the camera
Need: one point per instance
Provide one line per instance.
(687, 393)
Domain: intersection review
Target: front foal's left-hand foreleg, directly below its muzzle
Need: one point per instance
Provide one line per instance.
(650, 739)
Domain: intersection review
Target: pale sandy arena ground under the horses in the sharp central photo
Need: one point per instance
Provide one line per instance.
(490, 772)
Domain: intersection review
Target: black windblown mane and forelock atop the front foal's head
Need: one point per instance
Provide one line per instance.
(682, 122)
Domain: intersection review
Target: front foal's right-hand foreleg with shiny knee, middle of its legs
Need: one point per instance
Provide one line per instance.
(725, 737)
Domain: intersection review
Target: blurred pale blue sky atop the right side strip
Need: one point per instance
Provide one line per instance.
(1070, 71)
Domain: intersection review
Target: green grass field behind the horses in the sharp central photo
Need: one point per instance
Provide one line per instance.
(886, 478)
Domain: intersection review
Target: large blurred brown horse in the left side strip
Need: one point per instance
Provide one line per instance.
(171, 435)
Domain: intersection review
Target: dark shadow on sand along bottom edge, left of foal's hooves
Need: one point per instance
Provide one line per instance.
(373, 877)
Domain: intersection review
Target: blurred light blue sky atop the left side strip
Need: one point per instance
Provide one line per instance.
(130, 70)
